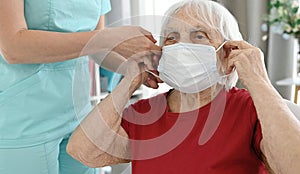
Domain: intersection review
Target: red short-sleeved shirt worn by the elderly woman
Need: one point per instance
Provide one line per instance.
(169, 143)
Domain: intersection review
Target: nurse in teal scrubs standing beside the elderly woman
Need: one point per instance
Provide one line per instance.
(40, 42)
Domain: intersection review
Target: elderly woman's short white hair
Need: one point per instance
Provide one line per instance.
(216, 16)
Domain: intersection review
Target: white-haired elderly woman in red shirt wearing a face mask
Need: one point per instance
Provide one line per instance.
(204, 124)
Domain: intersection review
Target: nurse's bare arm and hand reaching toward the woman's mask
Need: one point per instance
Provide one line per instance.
(18, 44)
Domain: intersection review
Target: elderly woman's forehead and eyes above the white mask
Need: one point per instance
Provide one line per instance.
(188, 29)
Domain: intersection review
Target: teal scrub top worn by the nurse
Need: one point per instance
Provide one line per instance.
(42, 102)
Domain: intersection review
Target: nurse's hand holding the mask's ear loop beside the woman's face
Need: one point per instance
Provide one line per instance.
(139, 44)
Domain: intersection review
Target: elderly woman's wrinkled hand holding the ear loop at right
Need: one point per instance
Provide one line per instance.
(248, 61)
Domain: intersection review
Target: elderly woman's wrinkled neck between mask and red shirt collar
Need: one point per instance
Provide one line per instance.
(184, 102)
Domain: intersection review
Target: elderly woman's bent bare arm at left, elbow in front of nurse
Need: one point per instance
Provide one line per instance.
(100, 140)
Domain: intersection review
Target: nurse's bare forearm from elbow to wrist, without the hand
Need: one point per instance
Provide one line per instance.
(33, 46)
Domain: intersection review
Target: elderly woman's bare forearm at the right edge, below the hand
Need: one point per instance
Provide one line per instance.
(280, 129)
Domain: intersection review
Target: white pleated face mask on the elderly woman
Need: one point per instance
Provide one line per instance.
(189, 68)
